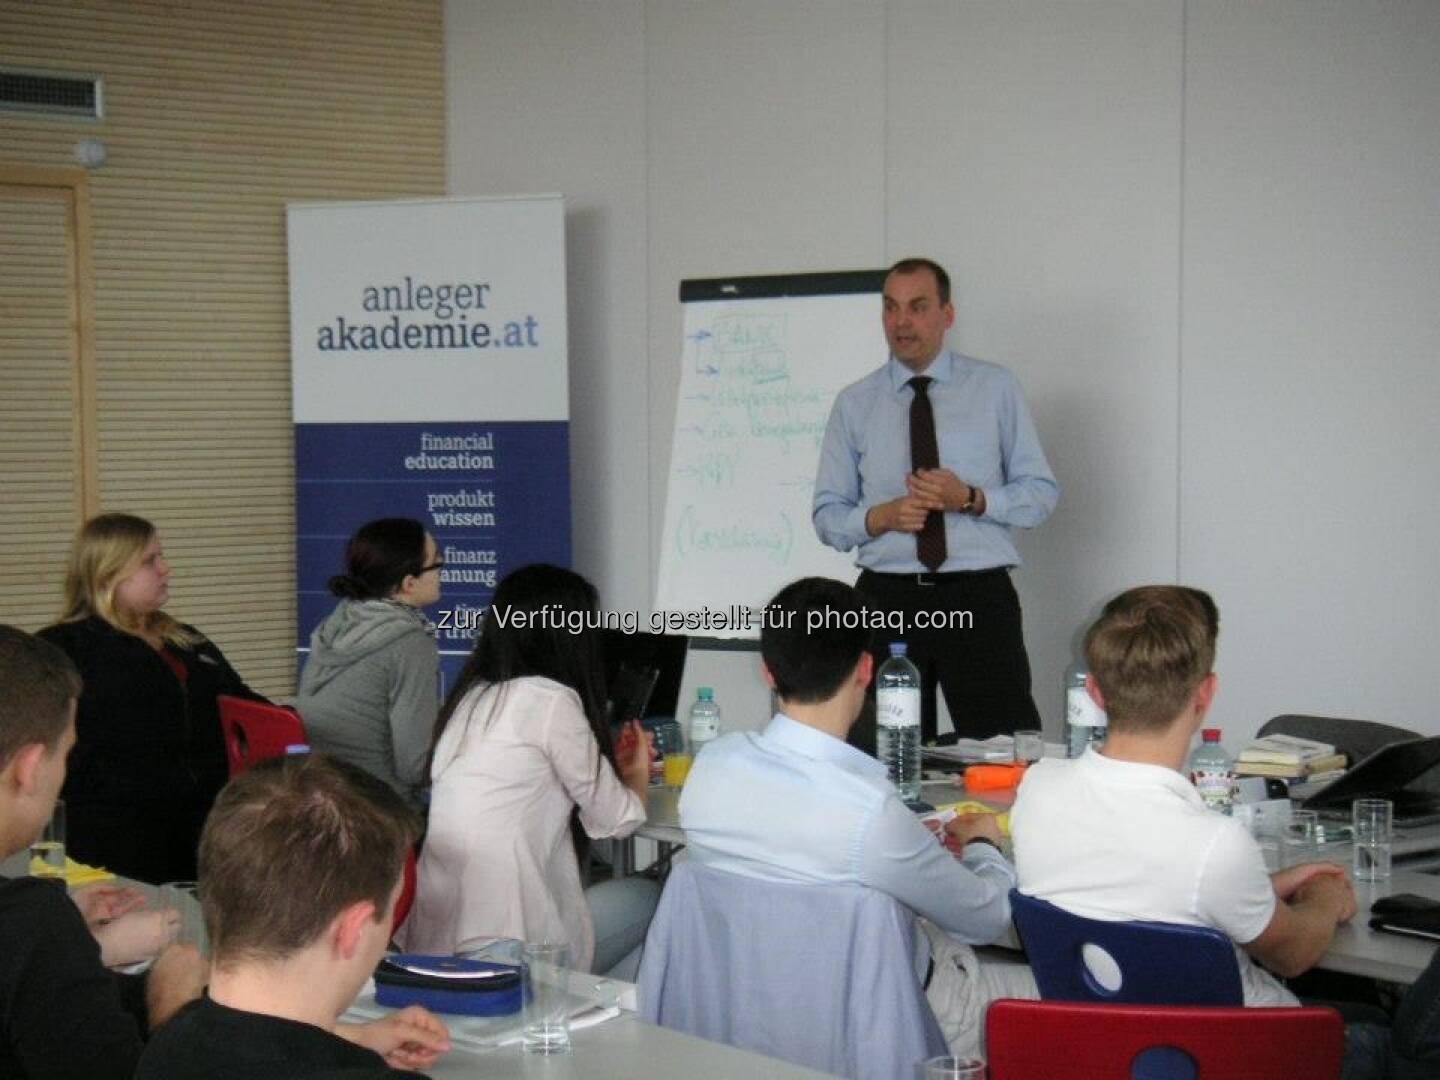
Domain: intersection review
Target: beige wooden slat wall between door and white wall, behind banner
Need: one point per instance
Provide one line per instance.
(218, 114)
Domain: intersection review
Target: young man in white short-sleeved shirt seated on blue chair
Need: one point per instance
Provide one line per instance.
(1122, 834)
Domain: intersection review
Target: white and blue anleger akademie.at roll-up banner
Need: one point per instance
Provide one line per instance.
(428, 355)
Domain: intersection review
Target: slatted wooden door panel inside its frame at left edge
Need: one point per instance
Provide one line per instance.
(38, 462)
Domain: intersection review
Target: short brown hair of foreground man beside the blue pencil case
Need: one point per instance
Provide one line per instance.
(290, 846)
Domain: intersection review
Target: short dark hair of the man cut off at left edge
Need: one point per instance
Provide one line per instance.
(37, 688)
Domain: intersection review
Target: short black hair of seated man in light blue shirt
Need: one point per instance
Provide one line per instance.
(813, 639)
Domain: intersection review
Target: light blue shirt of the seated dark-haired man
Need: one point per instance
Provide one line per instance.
(796, 804)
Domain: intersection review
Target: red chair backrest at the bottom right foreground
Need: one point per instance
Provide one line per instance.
(1032, 1039)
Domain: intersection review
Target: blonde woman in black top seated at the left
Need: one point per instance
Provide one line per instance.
(149, 757)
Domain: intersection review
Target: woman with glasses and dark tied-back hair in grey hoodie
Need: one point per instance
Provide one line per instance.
(369, 690)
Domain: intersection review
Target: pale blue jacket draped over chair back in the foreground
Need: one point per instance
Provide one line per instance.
(819, 976)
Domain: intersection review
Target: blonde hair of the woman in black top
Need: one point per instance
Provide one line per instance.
(106, 552)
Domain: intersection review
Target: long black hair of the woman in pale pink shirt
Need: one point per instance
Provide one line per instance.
(529, 630)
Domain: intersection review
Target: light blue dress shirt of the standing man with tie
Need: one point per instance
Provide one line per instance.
(986, 437)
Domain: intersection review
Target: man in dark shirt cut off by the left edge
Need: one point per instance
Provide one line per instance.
(61, 1013)
